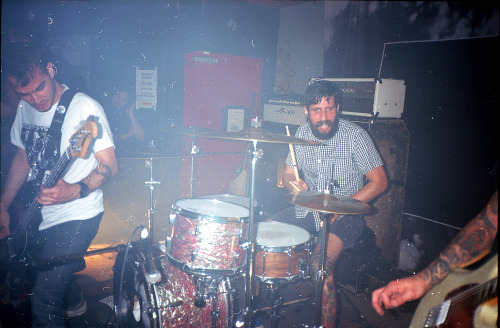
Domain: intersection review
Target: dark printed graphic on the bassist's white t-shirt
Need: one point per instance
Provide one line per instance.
(41, 154)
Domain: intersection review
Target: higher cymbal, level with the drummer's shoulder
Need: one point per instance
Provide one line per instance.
(257, 134)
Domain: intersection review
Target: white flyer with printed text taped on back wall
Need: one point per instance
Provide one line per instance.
(146, 88)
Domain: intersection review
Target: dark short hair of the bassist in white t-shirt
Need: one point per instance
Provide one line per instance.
(20, 59)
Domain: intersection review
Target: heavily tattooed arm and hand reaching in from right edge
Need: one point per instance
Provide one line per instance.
(472, 243)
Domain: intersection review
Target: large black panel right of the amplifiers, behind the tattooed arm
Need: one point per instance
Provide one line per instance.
(451, 111)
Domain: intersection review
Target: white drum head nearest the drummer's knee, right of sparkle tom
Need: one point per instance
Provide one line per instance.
(278, 234)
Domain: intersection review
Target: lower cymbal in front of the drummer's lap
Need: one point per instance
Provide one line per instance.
(327, 203)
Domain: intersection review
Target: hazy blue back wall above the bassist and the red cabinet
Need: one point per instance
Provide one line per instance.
(148, 34)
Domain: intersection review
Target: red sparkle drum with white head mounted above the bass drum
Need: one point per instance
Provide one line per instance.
(207, 236)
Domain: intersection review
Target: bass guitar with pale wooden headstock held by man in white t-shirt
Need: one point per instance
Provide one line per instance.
(79, 142)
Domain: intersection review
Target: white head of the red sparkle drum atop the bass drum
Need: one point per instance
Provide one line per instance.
(210, 208)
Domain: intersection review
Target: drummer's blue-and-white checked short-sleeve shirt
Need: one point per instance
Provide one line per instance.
(344, 159)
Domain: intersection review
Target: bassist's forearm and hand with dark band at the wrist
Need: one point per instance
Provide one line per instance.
(63, 192)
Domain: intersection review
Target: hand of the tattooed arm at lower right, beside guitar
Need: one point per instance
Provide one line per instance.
(398, 292)
